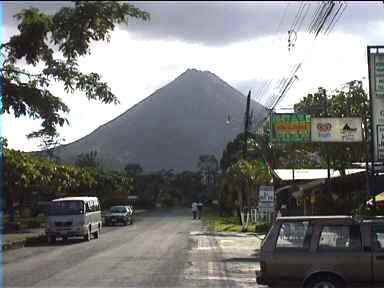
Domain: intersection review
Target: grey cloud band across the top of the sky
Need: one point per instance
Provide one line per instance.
(221, 23)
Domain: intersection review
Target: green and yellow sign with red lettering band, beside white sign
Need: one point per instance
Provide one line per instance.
(290, 128)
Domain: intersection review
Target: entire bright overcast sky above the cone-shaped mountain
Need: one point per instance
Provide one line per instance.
(244, 43)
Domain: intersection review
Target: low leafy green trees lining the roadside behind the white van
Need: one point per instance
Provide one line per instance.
(29, 178)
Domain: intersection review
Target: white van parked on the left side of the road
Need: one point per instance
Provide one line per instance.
(73, 217)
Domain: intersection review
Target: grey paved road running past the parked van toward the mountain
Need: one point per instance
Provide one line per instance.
(154, 252)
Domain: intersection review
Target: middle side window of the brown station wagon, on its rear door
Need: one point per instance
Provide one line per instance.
(340, 237)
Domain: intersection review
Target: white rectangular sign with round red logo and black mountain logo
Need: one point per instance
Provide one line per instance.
(336, 130)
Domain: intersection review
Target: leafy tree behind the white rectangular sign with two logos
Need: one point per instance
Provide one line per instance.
(349, 102)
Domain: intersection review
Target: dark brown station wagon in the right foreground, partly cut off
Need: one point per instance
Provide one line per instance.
(316, 252)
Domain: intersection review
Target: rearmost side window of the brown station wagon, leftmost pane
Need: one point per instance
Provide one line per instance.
(294, 235)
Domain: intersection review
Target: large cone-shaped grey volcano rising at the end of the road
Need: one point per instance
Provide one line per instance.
(171, 128)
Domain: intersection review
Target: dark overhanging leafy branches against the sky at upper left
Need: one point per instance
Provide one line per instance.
(55, 43)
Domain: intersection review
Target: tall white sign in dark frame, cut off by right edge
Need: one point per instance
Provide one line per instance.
(376, 78)
